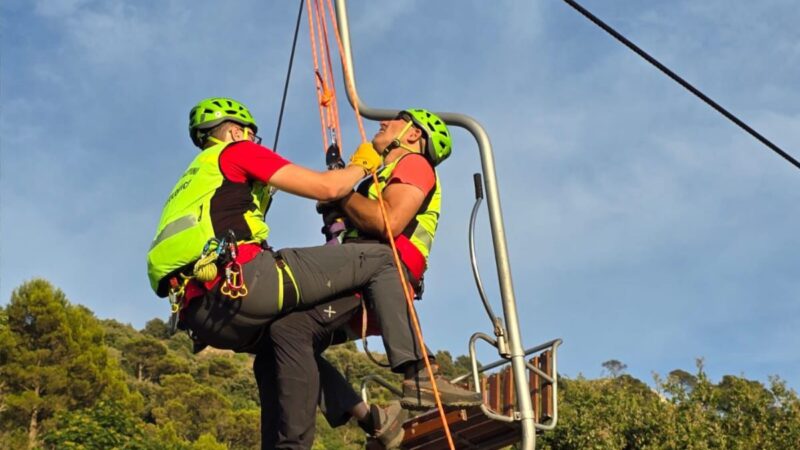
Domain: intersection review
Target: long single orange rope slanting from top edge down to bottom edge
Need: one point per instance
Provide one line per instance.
(409, 299)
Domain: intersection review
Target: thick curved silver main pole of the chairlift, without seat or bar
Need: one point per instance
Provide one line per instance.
(495, 220)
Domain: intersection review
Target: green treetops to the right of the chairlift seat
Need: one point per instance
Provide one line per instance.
(685, 412)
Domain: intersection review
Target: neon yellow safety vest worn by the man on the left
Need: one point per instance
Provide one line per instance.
(186, 221)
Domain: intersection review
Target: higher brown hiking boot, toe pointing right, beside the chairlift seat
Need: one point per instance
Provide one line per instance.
(418, 394)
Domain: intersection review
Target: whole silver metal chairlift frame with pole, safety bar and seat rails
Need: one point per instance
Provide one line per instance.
(509, 341)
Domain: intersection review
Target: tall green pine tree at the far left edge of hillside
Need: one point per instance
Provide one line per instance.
(54, 359)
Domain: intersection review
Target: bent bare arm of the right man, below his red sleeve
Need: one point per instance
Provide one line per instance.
(402, 203)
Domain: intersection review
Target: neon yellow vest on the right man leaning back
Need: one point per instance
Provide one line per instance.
(419, 232)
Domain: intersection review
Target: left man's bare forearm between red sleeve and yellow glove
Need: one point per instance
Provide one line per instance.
(325, 186)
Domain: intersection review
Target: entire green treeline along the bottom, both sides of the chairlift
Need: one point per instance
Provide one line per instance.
(69, 380)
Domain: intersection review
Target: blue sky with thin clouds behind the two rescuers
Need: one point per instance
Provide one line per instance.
(642, 226)
